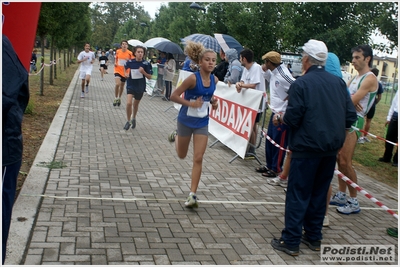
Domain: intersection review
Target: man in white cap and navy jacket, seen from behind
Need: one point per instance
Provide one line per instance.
(318, 113)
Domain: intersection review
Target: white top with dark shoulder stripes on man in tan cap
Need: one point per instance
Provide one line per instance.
(279, 80)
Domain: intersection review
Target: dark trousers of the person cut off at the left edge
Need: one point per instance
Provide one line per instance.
(10, 175)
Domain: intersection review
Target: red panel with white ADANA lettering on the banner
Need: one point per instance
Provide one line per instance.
(237, 118)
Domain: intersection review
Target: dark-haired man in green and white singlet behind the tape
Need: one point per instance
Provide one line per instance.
(363, 89)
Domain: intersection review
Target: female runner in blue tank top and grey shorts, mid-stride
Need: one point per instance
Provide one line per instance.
(197, 91)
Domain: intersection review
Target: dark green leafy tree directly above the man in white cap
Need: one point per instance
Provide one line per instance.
(339, 25)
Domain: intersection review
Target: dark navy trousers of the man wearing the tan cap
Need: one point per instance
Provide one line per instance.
(275, 156)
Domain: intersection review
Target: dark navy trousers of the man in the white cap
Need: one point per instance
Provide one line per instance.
(305, 204)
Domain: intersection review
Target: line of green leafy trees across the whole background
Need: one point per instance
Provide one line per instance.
(260, 26)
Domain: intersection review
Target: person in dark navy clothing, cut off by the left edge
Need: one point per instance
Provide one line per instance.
(15, 99)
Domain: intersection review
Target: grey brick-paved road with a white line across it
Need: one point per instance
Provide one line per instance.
(119, 198)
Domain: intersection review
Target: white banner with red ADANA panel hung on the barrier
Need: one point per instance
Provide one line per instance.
(233, 121)
